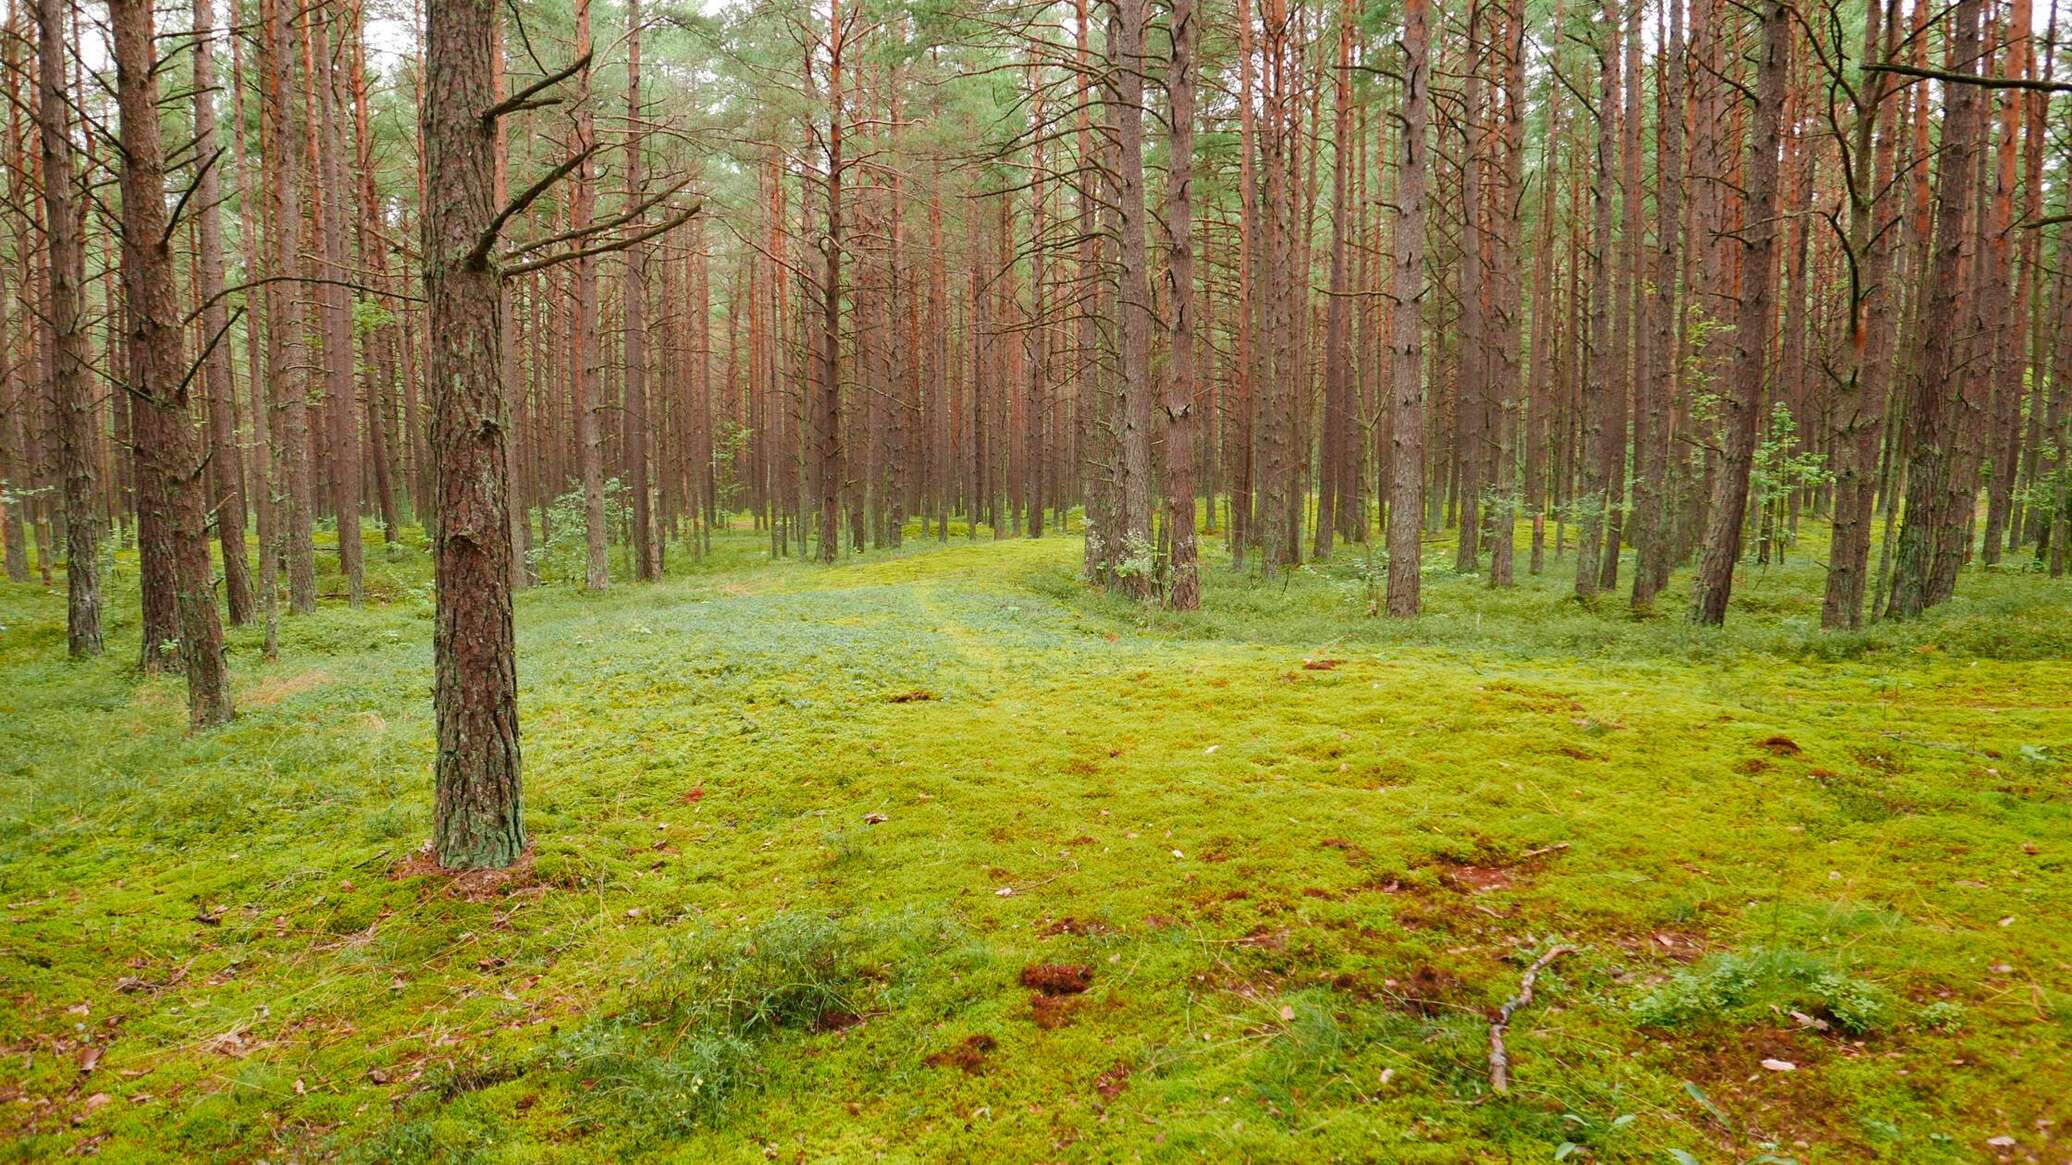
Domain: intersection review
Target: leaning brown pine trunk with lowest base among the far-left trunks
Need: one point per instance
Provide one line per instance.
(167, 438)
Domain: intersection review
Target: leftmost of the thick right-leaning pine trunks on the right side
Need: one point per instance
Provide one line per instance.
(1744, 399)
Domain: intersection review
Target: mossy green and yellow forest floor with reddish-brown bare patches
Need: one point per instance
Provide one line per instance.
(944, 857)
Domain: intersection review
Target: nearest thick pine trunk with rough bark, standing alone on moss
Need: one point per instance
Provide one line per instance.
(476, 695)
